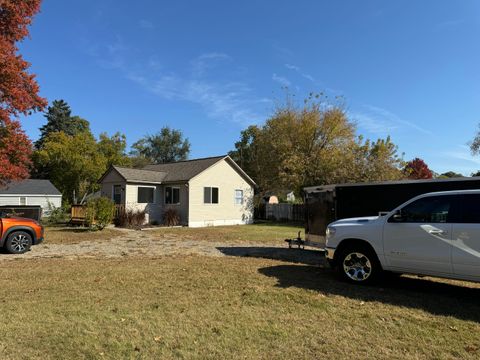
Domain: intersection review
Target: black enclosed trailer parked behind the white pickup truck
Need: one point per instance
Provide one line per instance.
(325, 204)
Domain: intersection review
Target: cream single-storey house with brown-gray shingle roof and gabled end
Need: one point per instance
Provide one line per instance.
(204, 192)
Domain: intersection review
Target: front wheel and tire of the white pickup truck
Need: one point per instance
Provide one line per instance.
(358, 264)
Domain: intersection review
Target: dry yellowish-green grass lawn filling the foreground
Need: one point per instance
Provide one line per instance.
(227, 307)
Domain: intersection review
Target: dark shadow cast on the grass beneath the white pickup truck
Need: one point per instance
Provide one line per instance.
(437, 298)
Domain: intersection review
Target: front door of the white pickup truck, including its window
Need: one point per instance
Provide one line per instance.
(419, 240)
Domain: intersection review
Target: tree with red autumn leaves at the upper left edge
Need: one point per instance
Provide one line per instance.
(18, 89)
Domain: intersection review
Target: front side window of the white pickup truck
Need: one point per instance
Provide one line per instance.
(433, 209)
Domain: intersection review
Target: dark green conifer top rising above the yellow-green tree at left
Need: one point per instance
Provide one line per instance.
(59, 118)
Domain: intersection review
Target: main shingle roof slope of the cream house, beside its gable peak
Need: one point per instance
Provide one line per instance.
(184, 170)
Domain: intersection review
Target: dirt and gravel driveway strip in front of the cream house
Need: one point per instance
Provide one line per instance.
(116, 243)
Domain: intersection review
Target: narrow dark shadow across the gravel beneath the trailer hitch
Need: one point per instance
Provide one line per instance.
(309, 257)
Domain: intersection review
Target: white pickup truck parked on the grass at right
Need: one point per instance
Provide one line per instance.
(436, 234)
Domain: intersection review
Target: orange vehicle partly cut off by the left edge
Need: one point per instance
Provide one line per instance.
(17, 234)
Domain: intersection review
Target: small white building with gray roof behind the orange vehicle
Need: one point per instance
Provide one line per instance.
(31, 192)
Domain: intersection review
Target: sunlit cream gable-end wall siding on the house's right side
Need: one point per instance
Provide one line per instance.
(226, 212)
